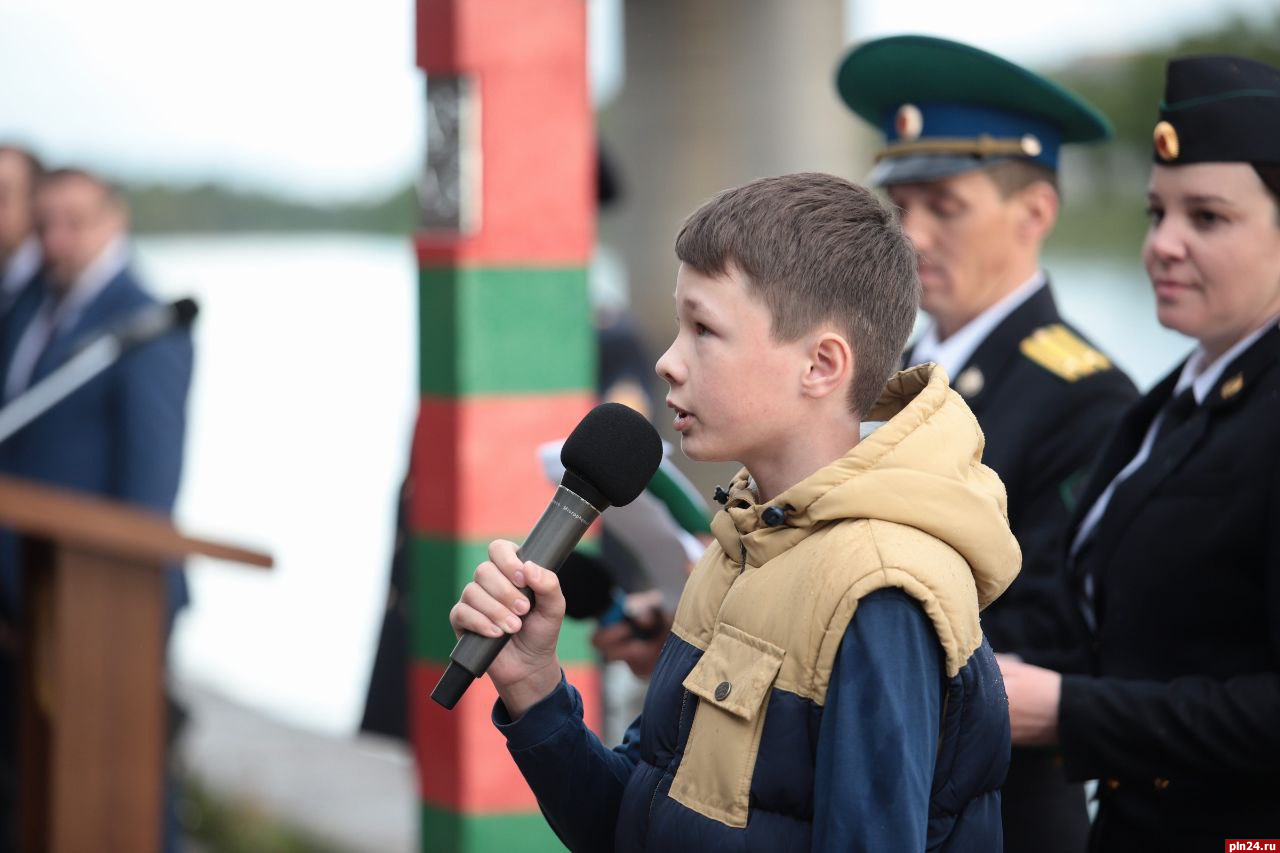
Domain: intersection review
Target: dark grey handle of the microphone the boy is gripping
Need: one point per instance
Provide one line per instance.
(552, 540)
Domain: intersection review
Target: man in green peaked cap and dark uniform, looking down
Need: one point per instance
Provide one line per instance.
(971, 158)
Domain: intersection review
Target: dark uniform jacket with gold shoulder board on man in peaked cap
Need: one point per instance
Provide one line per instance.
(1046, 400)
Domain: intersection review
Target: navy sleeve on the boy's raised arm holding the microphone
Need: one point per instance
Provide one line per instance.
(577, 779)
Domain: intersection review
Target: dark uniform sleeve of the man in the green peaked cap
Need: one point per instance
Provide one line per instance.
(1037, 606)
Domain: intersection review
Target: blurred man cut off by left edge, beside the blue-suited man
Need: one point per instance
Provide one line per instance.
(20, 249)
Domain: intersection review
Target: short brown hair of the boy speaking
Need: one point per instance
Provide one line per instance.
(817, 249)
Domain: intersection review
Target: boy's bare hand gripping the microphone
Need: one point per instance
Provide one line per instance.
(527, 670)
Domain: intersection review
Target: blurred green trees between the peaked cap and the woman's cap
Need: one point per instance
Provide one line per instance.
(1105, 189)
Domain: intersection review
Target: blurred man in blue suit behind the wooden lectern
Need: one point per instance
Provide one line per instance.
(121, 436)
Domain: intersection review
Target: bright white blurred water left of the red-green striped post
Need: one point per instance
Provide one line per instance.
(300, 425)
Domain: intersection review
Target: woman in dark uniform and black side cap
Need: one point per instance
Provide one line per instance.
(1176, 546)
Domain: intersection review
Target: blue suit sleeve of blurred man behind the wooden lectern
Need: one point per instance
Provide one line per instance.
(152, 416)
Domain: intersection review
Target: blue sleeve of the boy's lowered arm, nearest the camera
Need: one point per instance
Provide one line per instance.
(880, 731)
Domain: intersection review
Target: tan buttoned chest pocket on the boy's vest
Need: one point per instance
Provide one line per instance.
(733, 683)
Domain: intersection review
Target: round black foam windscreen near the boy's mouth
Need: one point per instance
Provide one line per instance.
(615, 450)
